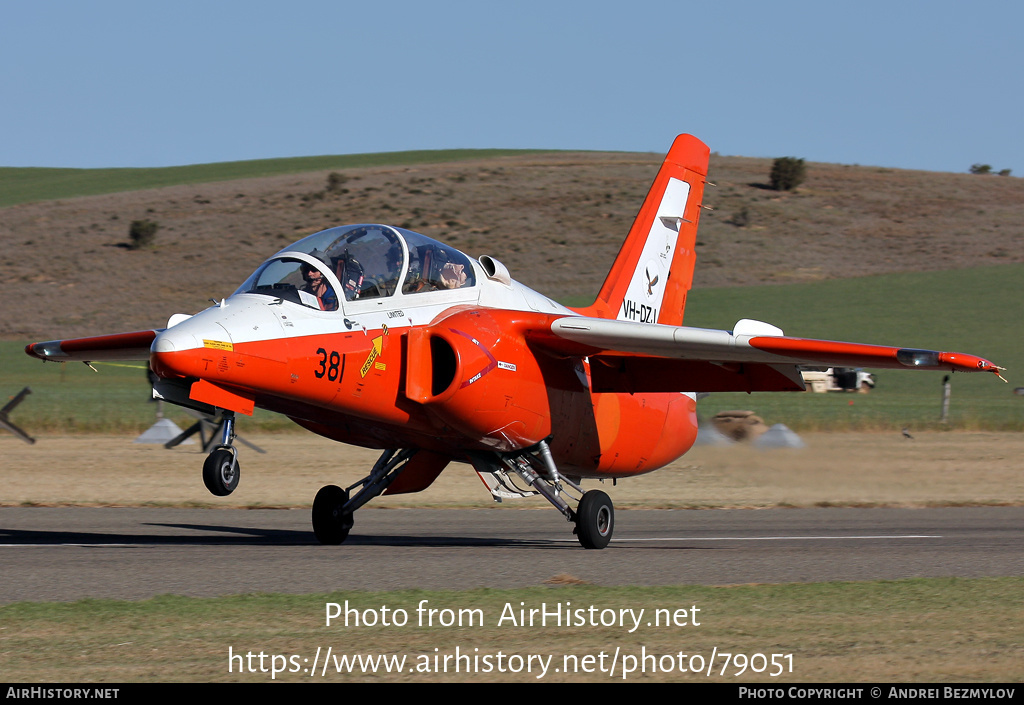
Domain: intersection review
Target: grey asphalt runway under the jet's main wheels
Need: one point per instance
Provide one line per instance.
(134, 554)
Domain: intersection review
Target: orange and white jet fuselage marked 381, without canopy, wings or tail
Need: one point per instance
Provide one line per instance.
(449, 377)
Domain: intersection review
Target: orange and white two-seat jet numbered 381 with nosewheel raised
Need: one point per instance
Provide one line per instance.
(381, 338)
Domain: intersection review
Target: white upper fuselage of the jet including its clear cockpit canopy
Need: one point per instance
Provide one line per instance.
(261, 311)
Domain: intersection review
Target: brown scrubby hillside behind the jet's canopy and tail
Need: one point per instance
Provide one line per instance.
(557, 221)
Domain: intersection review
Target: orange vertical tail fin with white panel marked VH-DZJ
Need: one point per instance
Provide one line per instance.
(653, 274)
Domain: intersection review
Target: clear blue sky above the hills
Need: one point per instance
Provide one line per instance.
(922, 86)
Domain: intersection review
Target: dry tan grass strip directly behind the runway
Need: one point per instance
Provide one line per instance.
(842, 470)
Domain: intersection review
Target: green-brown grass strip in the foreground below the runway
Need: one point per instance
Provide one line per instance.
(925, 631)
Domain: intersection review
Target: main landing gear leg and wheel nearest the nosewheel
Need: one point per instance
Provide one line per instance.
(333, 508)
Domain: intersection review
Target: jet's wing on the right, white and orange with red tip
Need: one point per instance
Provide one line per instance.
(754, 357)
